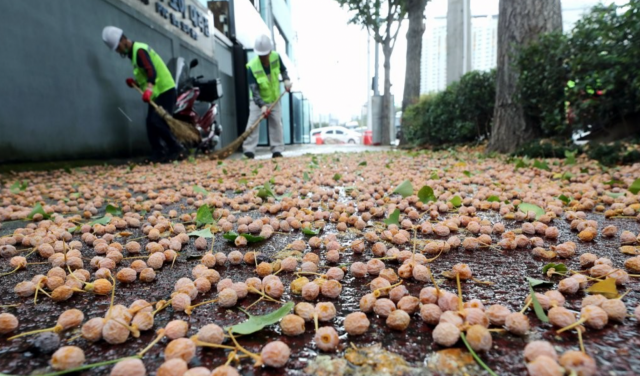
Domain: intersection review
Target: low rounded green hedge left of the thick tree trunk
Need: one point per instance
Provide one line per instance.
(460, 114)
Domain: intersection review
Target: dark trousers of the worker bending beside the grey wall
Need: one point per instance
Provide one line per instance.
(158, 130)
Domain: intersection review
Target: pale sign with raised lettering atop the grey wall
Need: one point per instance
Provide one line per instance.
(187, 18)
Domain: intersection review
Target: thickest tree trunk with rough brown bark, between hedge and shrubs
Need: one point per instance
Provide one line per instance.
(520, 23)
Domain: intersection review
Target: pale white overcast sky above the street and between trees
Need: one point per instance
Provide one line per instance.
(331, 55)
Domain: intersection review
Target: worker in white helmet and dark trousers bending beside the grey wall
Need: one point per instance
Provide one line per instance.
(153, 77)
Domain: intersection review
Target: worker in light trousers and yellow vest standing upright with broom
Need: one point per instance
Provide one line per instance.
(264, 88)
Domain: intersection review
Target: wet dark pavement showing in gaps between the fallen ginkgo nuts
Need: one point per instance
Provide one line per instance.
(615, 348)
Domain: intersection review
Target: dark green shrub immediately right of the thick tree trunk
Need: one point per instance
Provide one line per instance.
(541, 84)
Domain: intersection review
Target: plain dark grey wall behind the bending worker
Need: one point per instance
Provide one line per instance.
(63, 92)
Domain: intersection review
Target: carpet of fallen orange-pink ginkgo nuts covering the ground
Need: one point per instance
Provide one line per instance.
(265, 267)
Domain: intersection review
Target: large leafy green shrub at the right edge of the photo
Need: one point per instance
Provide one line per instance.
(603, 56)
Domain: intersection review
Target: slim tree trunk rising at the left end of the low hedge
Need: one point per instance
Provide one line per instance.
(411, 95)
